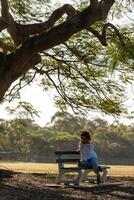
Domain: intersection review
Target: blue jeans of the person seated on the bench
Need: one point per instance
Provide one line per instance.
(90, 163)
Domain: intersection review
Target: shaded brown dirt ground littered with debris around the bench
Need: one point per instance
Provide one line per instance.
(34, 187)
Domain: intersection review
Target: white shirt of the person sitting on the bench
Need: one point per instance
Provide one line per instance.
(87, 151)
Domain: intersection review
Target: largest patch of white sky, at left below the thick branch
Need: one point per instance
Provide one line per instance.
(41, 101)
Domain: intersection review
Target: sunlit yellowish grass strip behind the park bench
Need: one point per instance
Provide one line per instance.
(52, 168)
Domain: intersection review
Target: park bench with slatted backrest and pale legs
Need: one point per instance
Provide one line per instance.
(73, 158)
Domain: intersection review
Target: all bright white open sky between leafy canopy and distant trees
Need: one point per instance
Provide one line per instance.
(44, 103)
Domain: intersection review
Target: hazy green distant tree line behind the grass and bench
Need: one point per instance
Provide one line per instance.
(23, 140)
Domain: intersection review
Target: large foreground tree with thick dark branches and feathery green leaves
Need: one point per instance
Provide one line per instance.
(75, 55)
